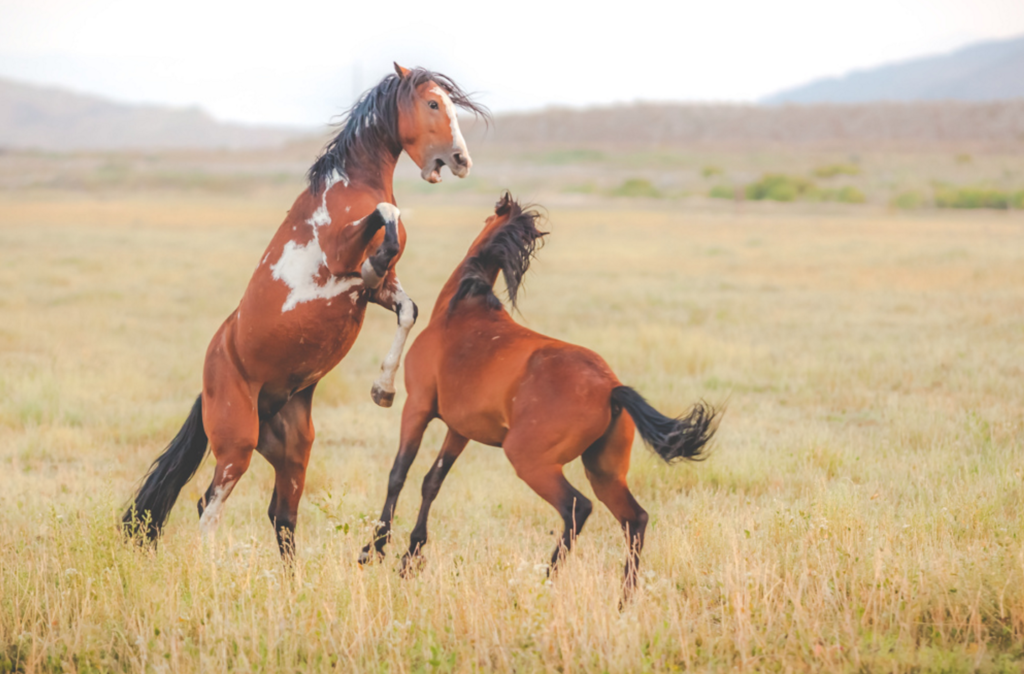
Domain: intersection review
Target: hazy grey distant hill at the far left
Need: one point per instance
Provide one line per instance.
(44, 118)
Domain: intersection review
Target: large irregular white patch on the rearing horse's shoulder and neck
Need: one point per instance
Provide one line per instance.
(301, 265)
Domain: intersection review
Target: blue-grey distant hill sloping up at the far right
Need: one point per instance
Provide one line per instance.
(989, 71)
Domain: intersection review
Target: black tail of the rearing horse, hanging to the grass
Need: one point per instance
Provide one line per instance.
(167, 476)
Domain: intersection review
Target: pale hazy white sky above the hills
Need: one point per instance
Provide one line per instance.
(300, 63)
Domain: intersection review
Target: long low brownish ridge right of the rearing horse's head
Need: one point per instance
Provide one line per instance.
(999, 125)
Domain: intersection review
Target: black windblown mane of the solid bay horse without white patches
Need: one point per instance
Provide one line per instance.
(509, 249)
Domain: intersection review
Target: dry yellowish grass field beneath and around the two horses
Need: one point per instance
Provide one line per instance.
(863, 509)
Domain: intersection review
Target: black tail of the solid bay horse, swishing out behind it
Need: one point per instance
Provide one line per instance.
(673, 440)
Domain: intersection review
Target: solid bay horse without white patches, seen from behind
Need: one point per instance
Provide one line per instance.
(544, 402)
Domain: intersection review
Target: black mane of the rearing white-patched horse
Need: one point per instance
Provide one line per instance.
(370, 128)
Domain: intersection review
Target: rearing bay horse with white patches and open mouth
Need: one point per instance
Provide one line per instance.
(335, 252)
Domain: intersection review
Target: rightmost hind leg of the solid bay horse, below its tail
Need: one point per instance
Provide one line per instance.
(607, 464)
